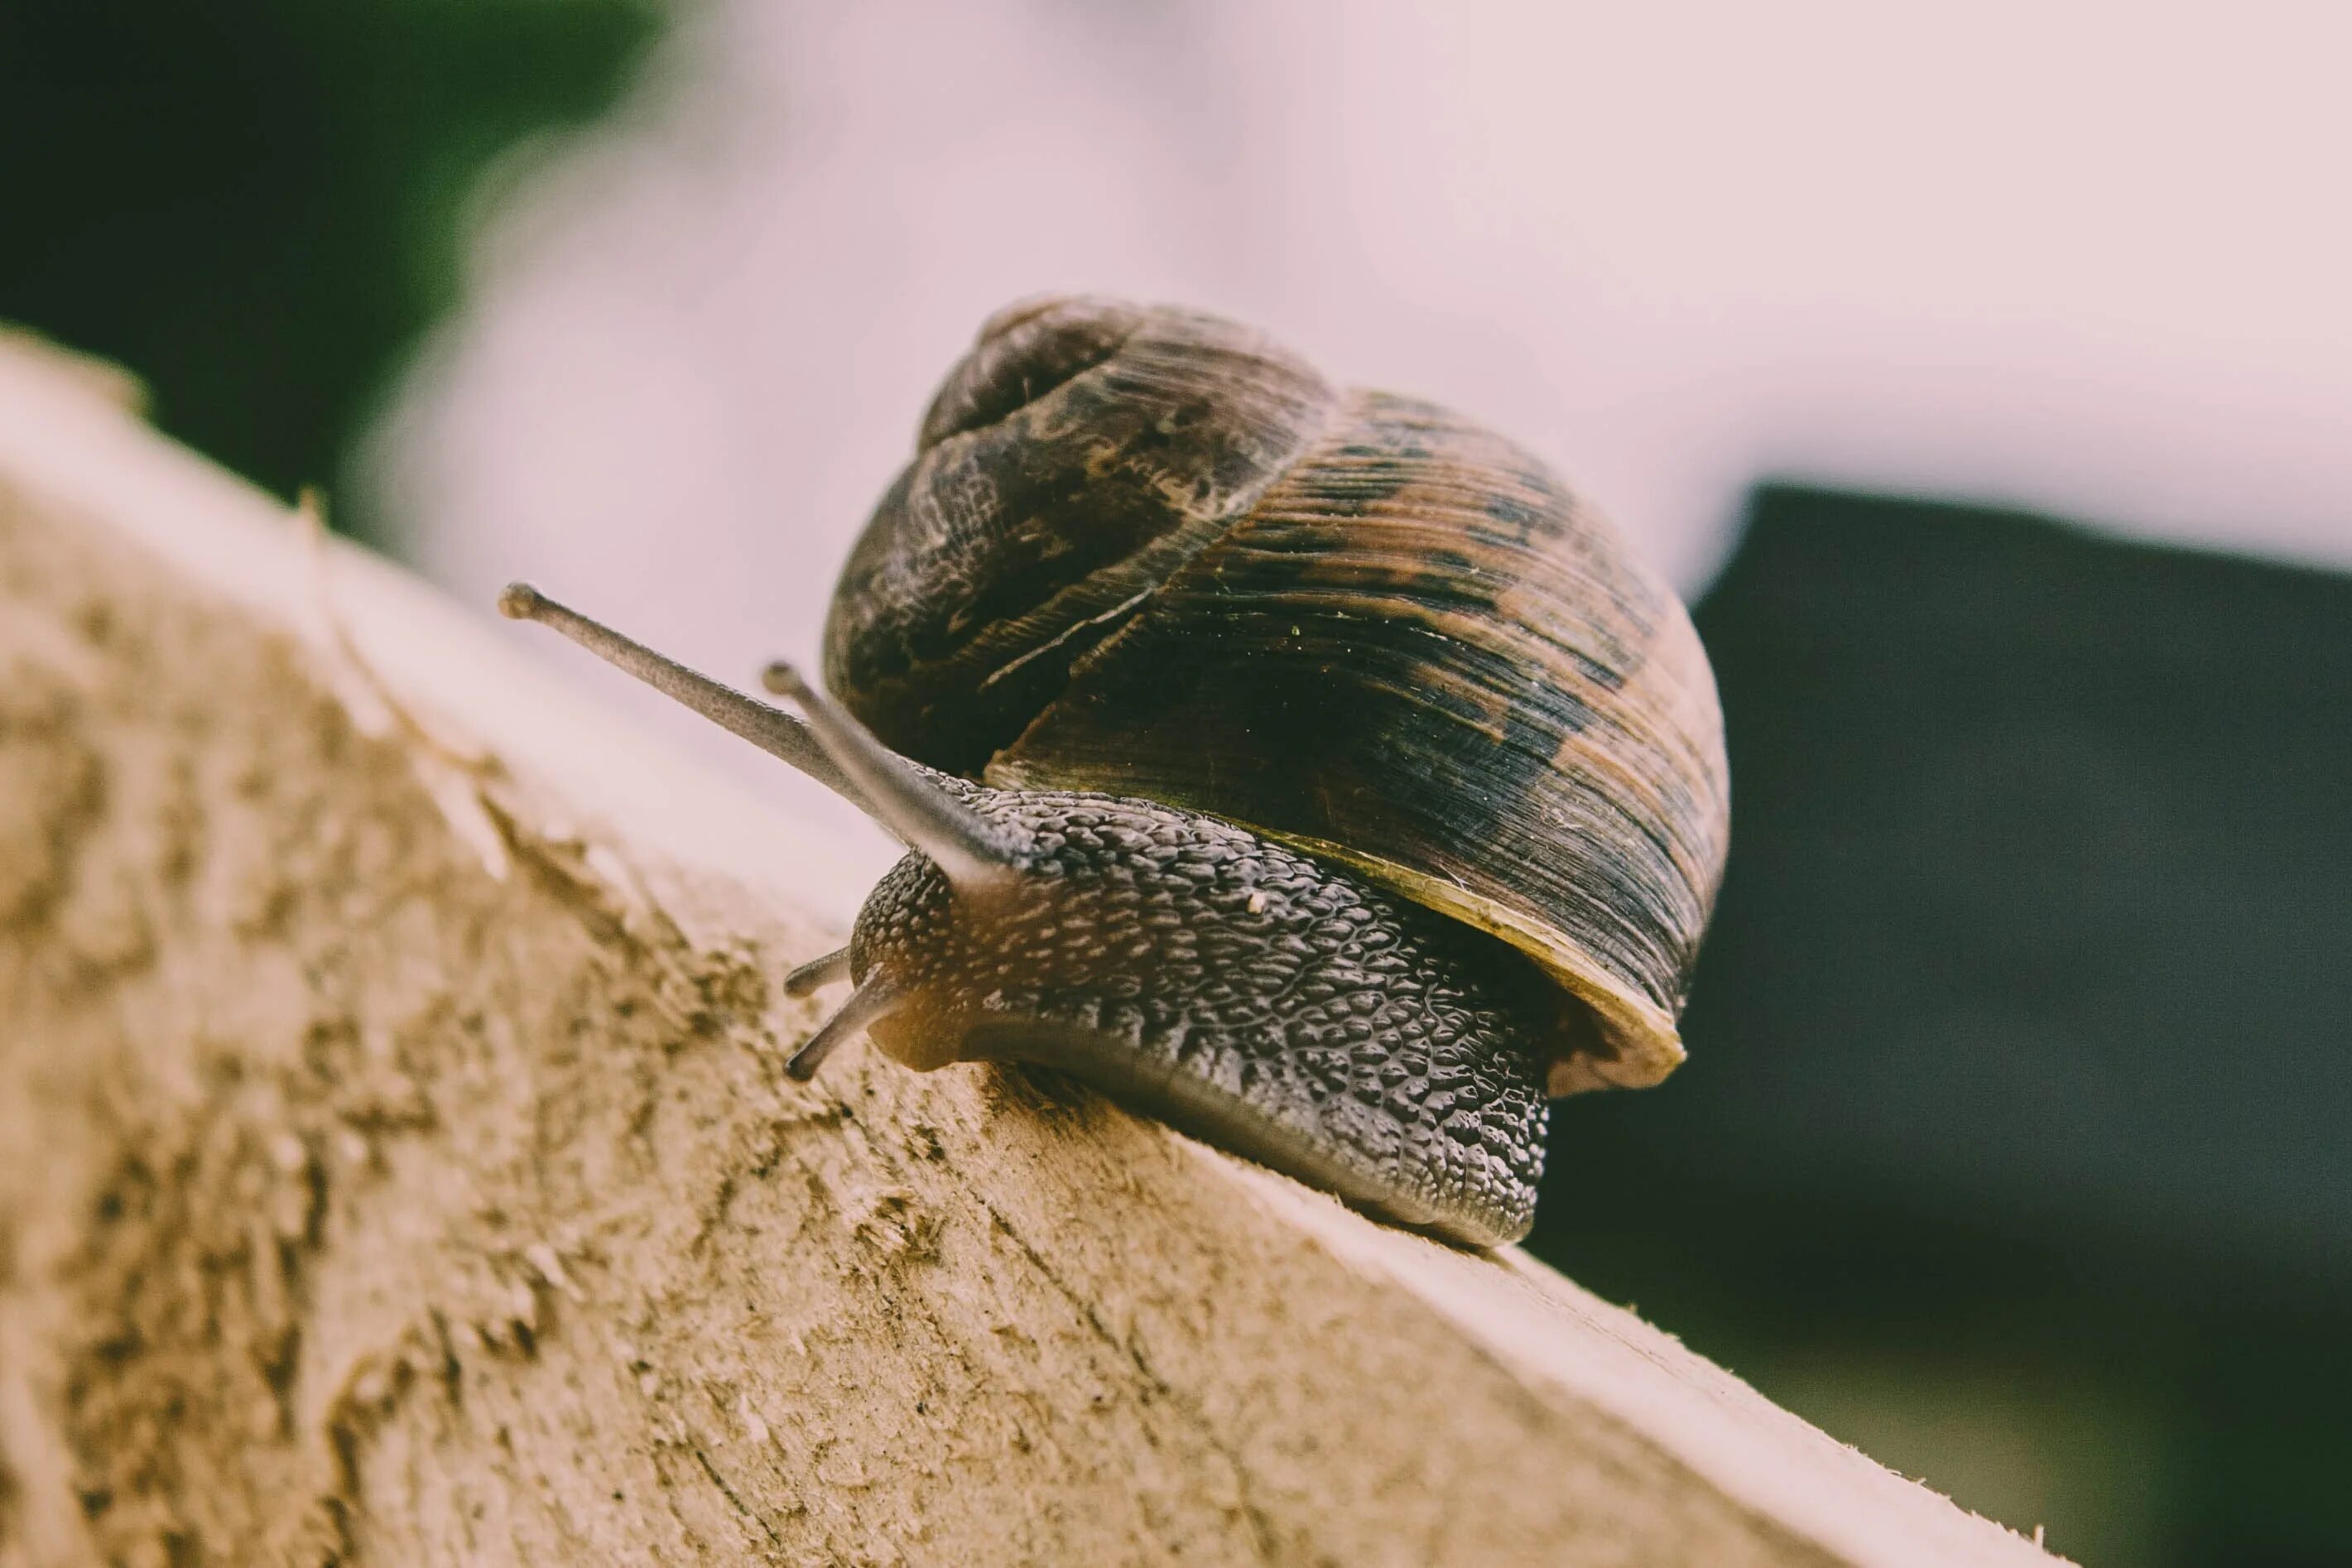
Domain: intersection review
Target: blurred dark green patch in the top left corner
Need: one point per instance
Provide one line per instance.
(258, 206)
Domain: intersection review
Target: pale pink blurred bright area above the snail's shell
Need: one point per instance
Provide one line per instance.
(2078, 255)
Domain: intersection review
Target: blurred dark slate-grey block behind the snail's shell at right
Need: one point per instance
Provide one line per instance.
(2045, 873)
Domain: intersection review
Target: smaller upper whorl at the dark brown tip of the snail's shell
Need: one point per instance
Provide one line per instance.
(1071, 462)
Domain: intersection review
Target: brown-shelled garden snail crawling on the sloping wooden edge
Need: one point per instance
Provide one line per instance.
(1299, 765)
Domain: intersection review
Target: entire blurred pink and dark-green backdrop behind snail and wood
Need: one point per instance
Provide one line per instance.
(1984, 375)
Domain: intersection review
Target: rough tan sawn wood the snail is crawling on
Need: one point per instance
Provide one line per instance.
(396, 1165)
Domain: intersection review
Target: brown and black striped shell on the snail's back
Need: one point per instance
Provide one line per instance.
(1149, 554)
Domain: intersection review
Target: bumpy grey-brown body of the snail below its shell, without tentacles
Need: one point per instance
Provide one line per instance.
(1236, 991)
